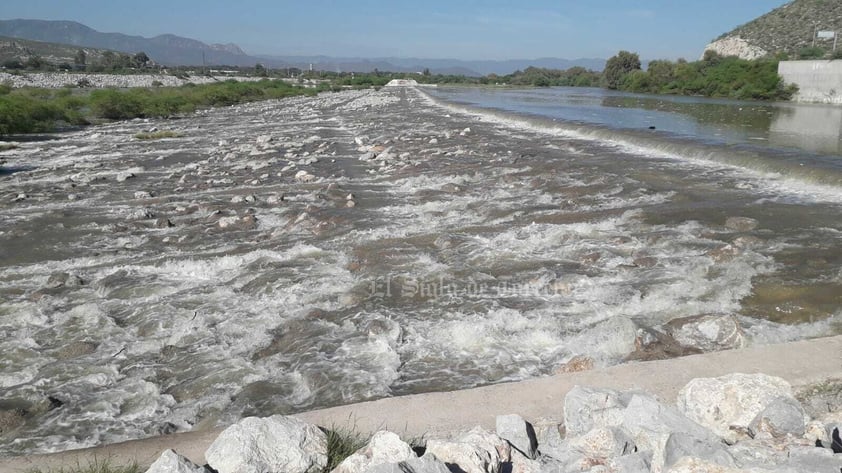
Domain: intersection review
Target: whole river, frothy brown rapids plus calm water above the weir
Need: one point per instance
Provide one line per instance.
(290, 255)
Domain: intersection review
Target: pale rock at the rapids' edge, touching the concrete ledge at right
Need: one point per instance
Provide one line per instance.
(707, 332)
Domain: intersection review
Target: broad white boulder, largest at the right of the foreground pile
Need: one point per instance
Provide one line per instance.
(728, 405)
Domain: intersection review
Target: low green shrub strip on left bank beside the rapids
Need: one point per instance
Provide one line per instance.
(31, 110)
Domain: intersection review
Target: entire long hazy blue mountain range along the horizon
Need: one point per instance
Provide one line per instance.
(175, 50)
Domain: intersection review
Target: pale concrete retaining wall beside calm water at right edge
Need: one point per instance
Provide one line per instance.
(817, 81)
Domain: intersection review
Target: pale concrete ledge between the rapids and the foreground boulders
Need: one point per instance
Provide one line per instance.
(803, 364)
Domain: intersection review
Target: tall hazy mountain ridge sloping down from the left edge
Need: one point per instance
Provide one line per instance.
(163, 49)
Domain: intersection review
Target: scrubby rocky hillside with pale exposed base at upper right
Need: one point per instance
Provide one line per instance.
(789, 29)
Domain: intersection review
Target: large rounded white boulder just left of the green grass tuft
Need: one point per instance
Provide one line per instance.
(272, 444)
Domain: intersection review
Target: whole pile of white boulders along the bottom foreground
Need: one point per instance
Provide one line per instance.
(736, 423)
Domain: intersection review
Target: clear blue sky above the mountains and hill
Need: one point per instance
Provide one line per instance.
(460, 29)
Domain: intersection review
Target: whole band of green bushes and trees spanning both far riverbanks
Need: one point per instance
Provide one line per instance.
(30, 110)
